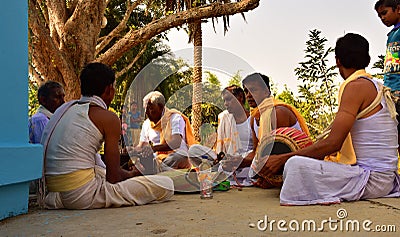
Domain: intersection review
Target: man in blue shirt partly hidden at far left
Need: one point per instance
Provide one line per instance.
(50, 96)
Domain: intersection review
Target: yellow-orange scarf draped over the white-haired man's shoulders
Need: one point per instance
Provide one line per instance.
(164, 127)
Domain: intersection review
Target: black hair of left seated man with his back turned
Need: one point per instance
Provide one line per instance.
(95, 77)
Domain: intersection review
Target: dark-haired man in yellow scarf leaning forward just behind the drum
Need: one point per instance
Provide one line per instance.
(267, 114)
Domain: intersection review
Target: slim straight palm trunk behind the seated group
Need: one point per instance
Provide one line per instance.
(197, 79)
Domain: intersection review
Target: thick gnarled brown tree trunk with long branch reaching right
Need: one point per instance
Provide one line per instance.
(64, 35)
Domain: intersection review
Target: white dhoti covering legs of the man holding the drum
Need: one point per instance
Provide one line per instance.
(308, 181)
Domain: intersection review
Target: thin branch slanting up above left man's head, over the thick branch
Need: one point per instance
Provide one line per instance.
(117, 30)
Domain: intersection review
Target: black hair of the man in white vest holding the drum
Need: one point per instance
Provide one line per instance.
(352, 50)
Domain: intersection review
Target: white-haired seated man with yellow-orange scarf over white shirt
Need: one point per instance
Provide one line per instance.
(167, 131)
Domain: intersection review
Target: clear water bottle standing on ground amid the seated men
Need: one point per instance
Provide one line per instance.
(205, 179)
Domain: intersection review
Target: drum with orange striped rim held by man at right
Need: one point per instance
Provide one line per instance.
(282, 140)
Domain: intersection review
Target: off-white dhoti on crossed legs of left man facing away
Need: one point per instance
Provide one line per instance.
(98, 193)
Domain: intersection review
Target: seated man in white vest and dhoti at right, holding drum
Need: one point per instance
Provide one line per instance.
(364, 127)
